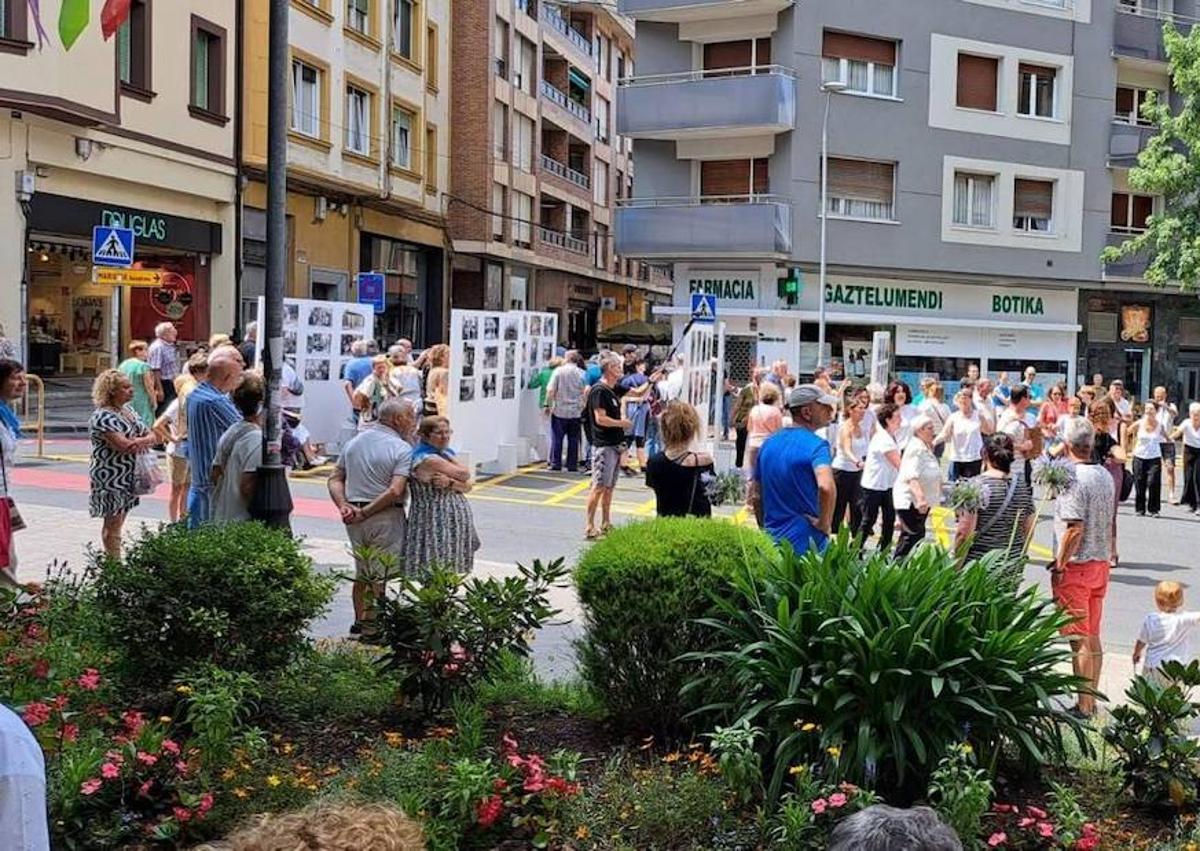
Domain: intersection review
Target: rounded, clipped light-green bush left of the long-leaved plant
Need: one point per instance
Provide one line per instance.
(643, 589)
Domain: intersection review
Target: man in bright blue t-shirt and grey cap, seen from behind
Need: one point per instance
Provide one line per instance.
(793, 490)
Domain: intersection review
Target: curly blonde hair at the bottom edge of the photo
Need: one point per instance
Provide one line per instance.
(369, 828)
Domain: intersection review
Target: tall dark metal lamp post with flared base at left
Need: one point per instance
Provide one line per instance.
(273, 502)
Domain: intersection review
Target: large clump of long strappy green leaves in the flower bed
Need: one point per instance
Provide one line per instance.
(886, 666)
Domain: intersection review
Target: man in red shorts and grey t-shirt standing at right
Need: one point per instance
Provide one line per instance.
(1083, 522)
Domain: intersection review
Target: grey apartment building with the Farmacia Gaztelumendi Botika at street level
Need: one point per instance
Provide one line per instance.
(979, 154)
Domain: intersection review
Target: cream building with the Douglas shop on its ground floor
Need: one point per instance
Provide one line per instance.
(131, 131)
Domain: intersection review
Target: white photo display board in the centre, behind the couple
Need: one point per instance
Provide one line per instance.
(493, 357)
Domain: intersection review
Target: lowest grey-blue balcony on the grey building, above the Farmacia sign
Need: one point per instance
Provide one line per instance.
(713, 226)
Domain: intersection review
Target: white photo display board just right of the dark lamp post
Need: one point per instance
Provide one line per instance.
(317, 338)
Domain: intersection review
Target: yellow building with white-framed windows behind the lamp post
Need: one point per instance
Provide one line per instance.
(368, 157)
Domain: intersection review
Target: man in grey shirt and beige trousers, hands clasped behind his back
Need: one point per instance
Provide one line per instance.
(369, 488)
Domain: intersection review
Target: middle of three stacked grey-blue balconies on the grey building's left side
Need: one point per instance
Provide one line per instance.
(698, 104)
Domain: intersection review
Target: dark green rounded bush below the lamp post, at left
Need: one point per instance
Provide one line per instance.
(239, 597)
